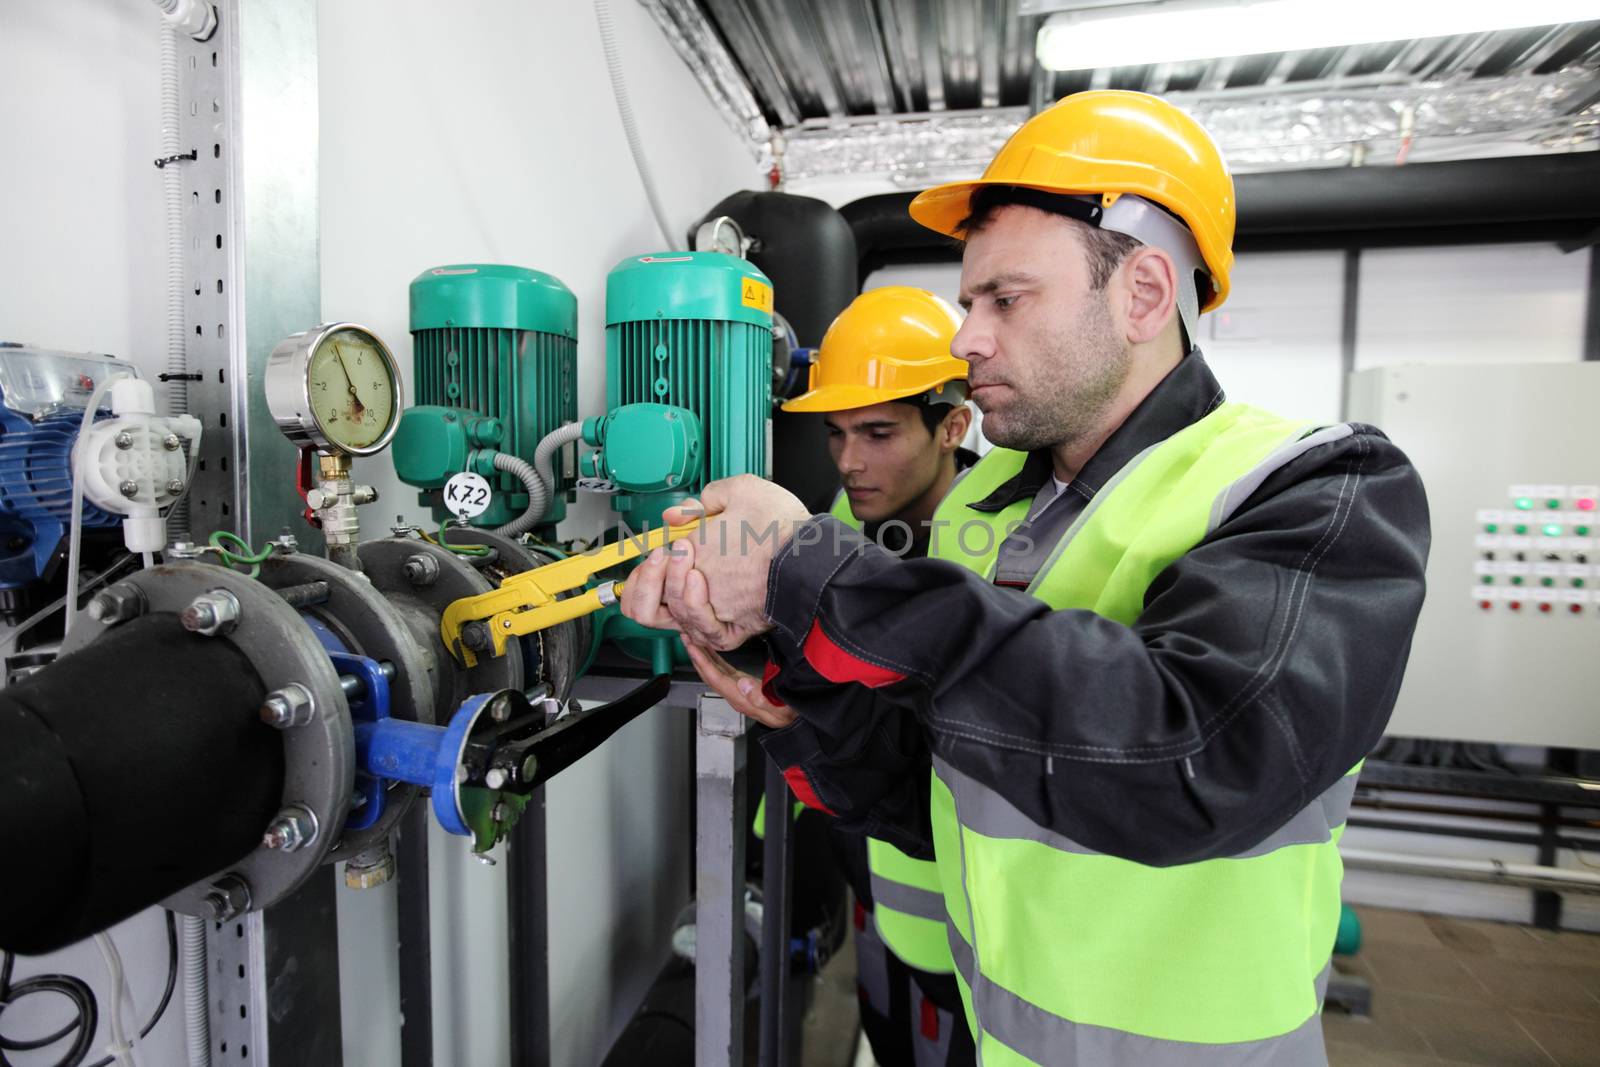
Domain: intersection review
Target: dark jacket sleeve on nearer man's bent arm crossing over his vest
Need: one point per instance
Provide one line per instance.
(1265, 666)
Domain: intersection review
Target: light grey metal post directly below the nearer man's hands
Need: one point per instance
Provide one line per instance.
(721, 748)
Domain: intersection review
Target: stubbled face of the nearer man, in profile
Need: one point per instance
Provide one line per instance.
(1046, 354)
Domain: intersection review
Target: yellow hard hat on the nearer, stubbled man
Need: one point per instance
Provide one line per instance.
(1111, 143)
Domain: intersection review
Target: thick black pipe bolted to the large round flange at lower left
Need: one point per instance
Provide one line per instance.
(129, 770)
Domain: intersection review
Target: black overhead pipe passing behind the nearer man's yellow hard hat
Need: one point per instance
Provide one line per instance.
(1511, 199)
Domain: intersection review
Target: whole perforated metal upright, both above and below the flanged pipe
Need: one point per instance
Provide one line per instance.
(249, 111)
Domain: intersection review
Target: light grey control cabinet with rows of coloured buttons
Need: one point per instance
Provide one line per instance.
(1508, 645)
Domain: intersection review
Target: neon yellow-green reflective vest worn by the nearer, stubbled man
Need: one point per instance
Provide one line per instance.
(1068, 956)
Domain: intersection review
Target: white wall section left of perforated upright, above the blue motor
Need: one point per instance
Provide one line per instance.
(81, 199)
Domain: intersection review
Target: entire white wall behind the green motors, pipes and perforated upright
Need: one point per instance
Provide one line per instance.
(449, 134)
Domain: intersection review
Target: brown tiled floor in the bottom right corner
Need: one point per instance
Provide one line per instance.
(1450, 991)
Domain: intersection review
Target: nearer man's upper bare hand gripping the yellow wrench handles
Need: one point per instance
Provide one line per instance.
(713, 585)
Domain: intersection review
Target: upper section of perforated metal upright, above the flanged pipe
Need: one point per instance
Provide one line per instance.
(252, 242)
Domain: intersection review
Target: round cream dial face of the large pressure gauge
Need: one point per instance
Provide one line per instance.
(351, 390)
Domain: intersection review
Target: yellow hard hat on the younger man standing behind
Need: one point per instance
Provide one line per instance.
(889, 345)
